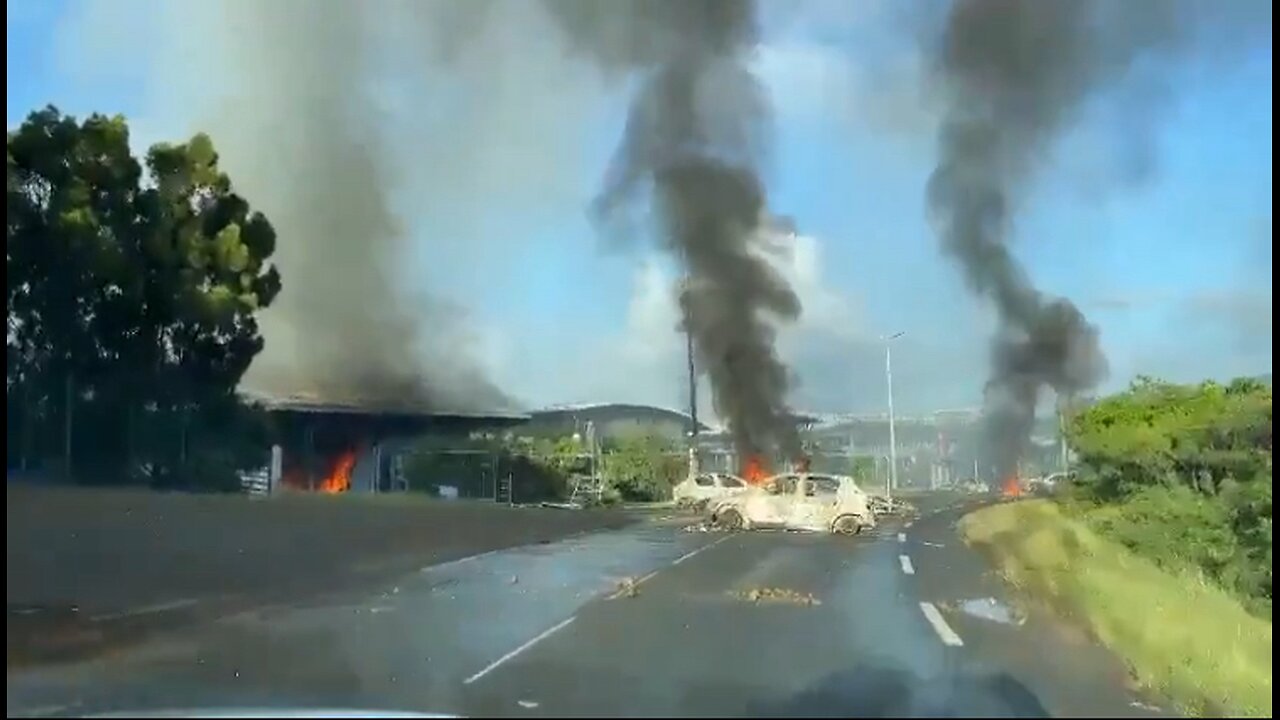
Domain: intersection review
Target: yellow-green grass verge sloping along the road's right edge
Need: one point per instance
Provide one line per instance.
(1183, 639)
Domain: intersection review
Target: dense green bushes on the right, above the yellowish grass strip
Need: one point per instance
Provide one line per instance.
(1183, 475)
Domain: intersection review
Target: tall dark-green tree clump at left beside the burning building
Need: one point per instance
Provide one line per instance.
(132, 293)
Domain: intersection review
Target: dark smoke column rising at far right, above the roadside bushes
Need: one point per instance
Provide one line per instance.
(1017, 75)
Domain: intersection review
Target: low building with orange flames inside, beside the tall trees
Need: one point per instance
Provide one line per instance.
(336, 448)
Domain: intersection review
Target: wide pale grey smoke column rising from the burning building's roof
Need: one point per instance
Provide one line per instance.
(309, 149)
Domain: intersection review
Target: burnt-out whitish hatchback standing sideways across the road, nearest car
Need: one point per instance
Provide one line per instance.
(801, 502)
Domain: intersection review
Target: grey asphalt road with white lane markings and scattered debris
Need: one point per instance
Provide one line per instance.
(648, 621)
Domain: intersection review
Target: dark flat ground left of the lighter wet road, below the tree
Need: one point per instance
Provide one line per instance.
(102, 568)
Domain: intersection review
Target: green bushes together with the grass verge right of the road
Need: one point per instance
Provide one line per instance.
(1163, 543)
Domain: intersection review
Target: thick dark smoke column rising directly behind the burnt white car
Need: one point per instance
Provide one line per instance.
(693, 143)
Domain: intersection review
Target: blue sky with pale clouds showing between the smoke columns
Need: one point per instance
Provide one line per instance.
(1172, 268)
